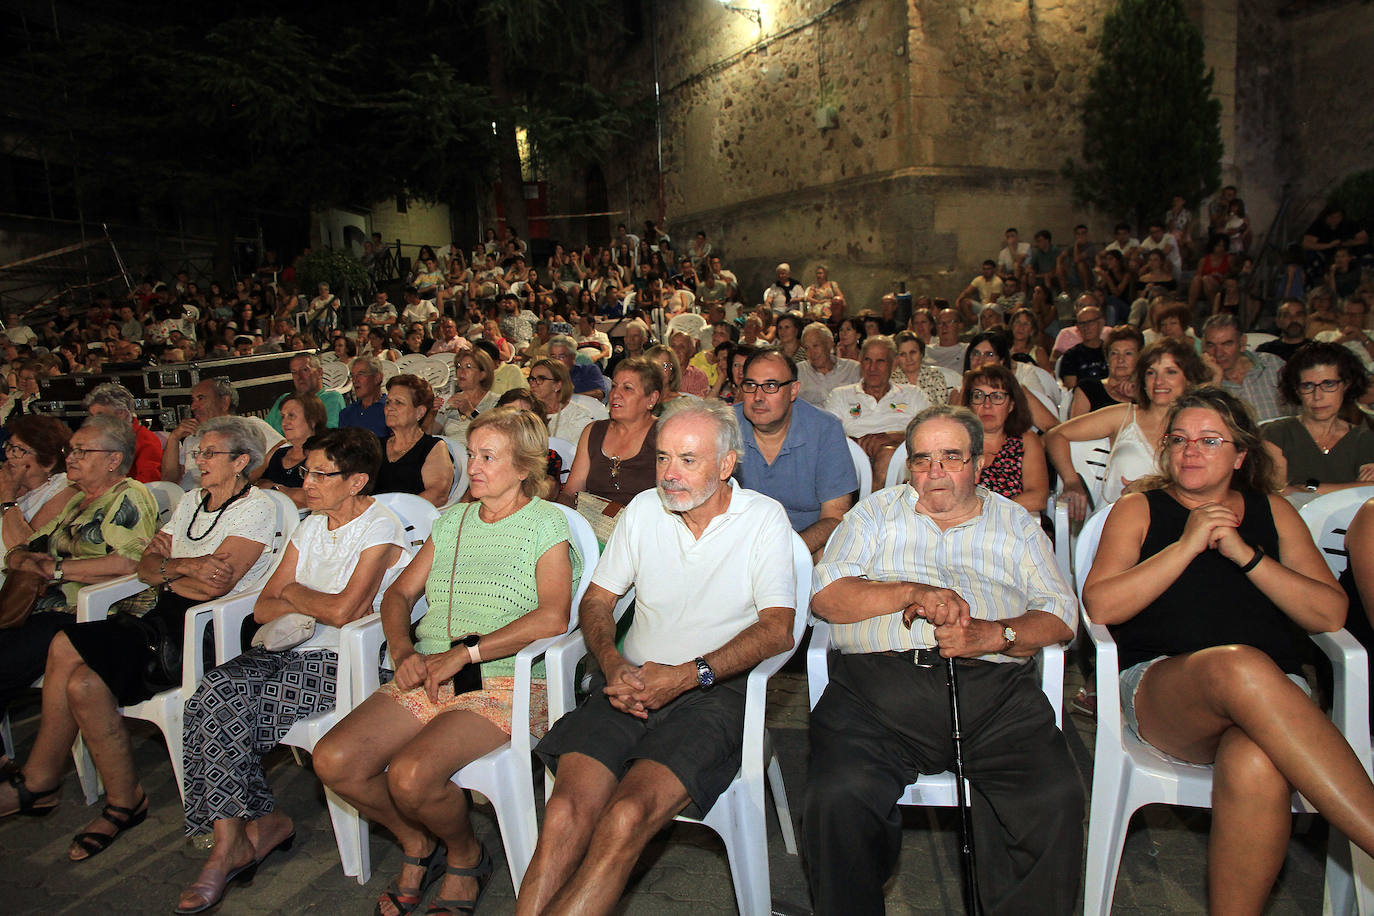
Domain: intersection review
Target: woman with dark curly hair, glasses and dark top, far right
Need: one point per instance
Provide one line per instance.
(1320, 450)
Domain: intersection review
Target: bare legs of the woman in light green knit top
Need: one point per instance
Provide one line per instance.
(396, 772)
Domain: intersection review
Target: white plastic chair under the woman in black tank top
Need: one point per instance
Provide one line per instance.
(1129, 774)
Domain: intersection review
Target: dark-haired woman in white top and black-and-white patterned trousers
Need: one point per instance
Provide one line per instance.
(335, 571)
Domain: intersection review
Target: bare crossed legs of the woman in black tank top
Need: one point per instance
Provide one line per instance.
(1232, 707)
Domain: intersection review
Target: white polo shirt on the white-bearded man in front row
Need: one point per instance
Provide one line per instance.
(695, 595)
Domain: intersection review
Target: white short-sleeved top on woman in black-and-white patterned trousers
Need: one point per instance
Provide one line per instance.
(326, 560)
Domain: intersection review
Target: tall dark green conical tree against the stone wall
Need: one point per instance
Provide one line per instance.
(1151, 126)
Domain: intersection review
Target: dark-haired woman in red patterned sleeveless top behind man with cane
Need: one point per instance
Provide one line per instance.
(1013, 458)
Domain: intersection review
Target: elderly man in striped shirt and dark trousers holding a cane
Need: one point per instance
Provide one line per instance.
(921, 583)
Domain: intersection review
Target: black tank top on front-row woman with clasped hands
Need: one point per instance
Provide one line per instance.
(1213, 604)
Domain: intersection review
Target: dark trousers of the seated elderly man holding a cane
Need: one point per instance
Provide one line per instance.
(881, 723)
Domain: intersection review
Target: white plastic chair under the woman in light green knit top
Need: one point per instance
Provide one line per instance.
(505, 775)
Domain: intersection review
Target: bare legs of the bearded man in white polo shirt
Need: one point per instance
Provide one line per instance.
(589, 808)
